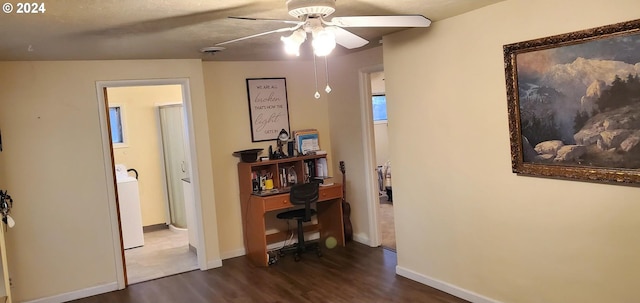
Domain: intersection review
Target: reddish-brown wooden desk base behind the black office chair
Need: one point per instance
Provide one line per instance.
(330, 221)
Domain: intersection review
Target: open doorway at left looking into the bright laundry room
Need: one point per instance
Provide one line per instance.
(148, 138)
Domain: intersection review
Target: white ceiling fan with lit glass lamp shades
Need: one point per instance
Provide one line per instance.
(325, 33)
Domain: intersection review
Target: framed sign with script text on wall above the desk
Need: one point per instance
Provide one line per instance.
(268, 108)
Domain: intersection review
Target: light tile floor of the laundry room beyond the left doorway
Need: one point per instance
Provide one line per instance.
(165, 252)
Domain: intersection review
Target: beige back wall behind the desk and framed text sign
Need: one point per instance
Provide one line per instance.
(228, 112)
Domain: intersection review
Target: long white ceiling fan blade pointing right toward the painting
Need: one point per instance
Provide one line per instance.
(382, 21)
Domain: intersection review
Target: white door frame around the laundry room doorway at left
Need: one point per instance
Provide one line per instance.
(107, 150)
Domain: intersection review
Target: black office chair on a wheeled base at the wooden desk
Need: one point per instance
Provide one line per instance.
(301, 194)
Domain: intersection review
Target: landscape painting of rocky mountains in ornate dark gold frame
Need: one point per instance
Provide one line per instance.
(574, 104)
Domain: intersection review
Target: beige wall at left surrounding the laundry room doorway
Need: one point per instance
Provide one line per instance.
(55, 170)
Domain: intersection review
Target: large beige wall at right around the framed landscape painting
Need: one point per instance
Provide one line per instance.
(467, 220)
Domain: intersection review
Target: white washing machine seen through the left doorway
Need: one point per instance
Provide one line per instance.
(130, 214)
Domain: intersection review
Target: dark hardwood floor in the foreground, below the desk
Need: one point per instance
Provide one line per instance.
(356, 273)
